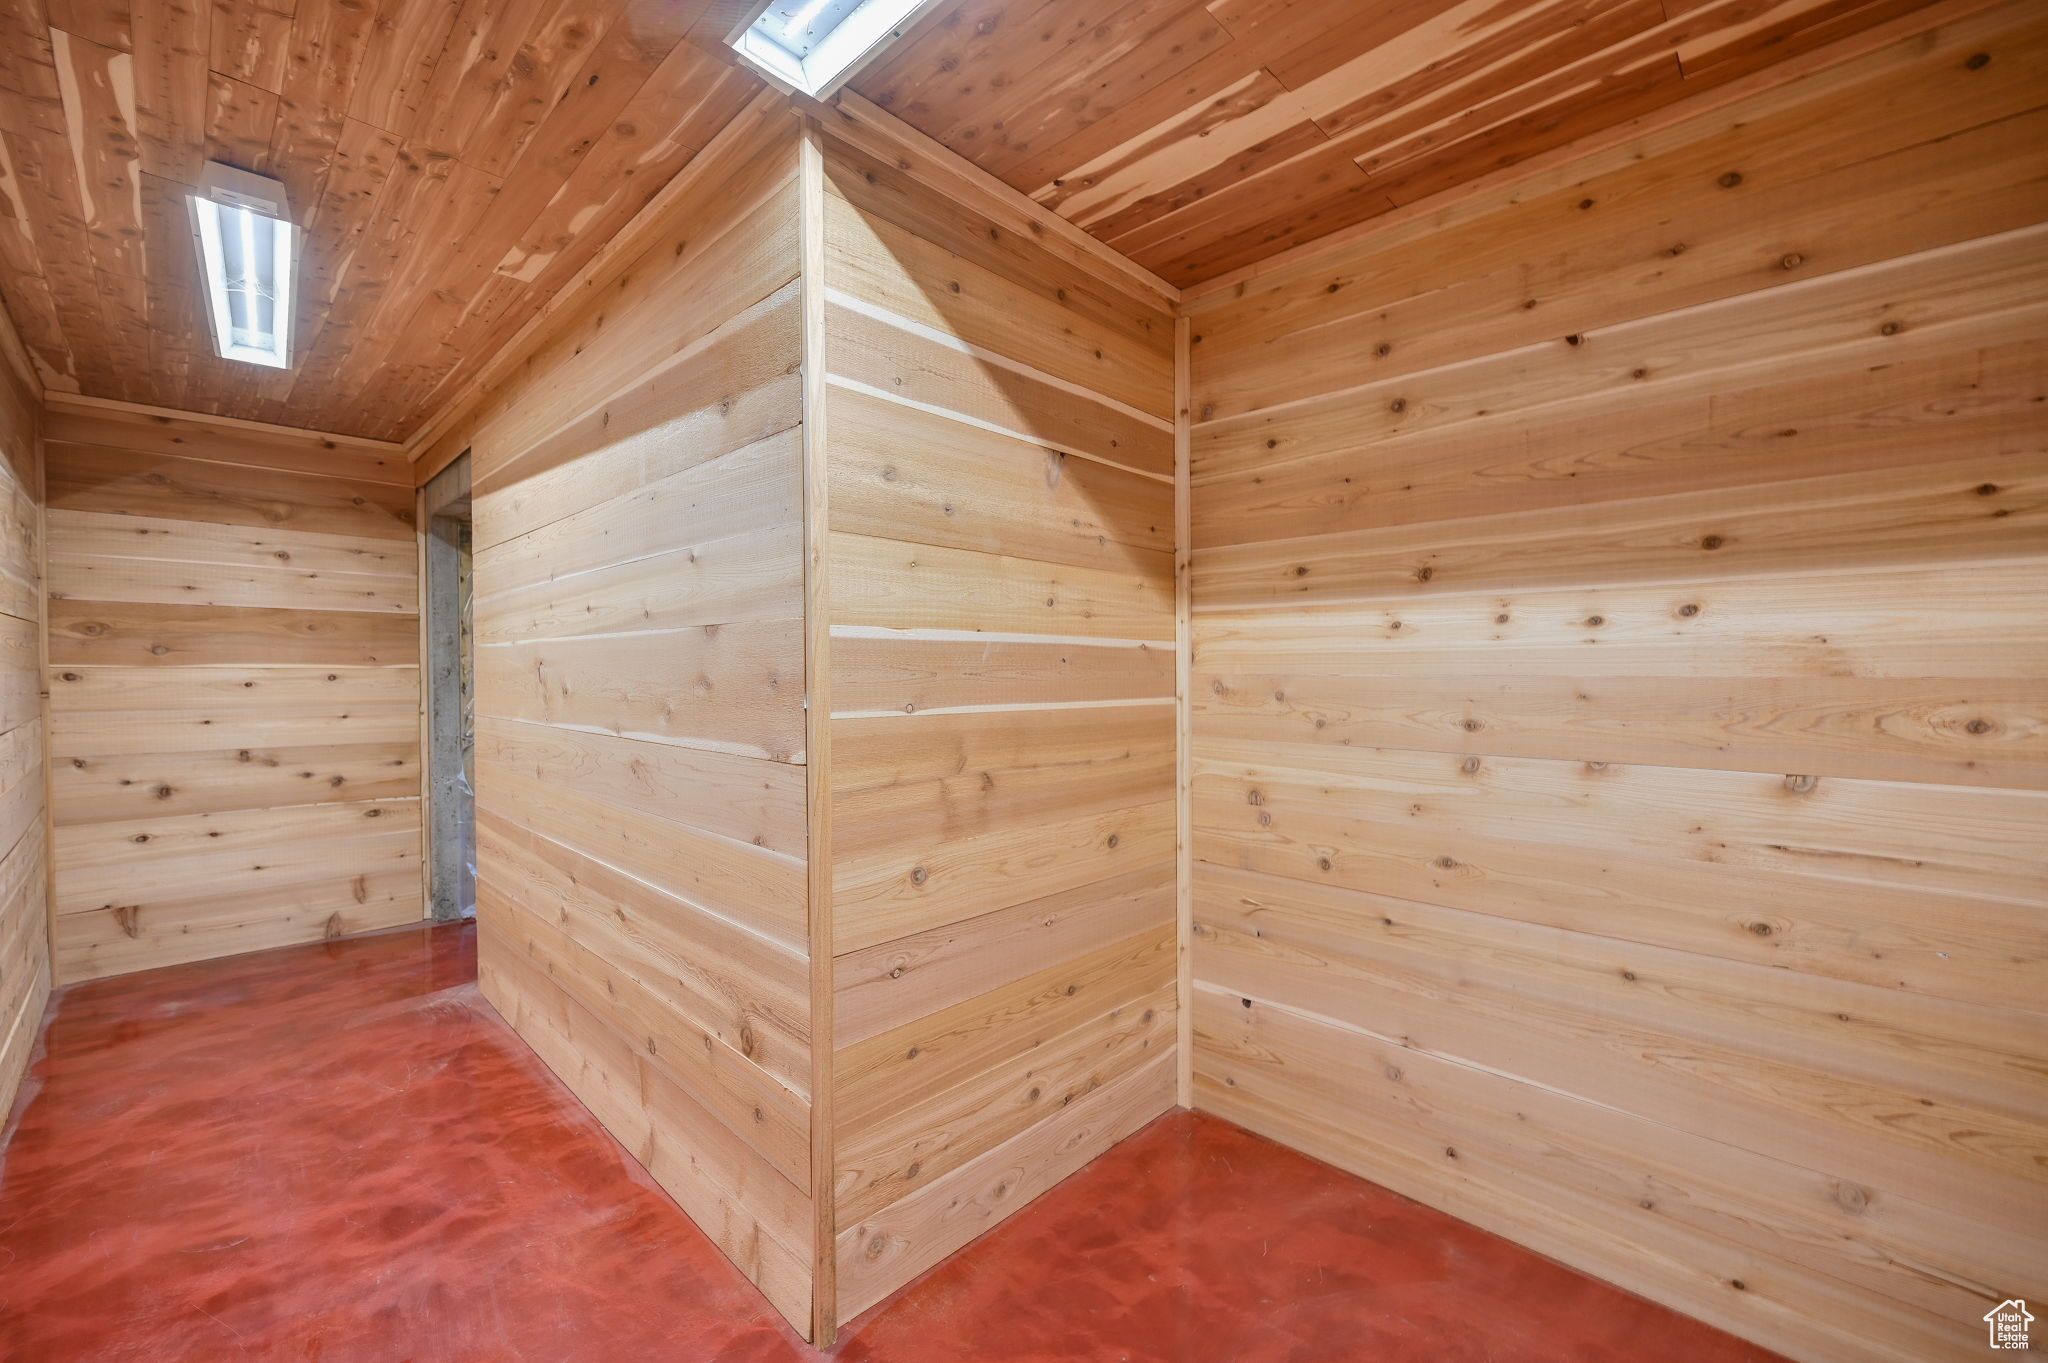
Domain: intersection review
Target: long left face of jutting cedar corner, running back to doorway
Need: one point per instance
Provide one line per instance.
(640, 705)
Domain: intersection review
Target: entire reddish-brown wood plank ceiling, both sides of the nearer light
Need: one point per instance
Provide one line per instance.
(456, 163)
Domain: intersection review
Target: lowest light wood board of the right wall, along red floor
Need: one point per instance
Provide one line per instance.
(1564, 1168)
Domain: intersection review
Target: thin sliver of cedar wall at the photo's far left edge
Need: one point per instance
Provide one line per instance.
(26, 969)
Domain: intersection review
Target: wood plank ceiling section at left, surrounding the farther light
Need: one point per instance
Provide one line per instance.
(454, 165)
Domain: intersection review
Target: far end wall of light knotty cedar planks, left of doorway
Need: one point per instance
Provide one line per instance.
(232, 689)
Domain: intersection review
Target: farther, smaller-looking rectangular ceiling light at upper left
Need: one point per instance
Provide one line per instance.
(247, 257)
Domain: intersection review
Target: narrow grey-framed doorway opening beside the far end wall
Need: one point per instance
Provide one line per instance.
(450, 695)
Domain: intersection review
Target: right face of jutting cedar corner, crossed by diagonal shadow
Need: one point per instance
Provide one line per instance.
(1002, 723)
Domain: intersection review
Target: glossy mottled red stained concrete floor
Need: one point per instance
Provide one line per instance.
(341, 1153)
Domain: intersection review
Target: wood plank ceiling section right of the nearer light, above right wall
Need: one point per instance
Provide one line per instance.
(1201, 136)
